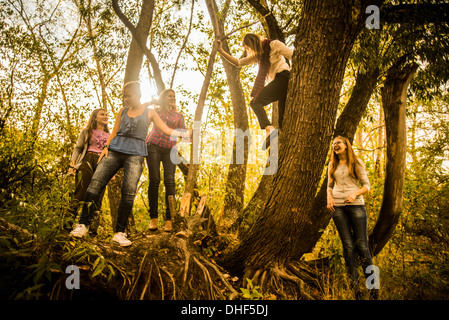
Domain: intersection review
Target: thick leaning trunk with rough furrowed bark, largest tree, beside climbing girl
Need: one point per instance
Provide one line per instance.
(285, 229)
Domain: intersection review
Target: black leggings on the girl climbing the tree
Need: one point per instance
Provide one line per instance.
(276, 90)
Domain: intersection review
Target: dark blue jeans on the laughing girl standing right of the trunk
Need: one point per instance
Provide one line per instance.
(351, 223)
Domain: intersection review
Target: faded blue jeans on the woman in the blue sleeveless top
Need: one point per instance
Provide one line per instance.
(132, 169)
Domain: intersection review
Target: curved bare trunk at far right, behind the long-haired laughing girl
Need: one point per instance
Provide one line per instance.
(394, 102)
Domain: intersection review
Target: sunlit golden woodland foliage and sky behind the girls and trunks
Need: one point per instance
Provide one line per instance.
(59, 60)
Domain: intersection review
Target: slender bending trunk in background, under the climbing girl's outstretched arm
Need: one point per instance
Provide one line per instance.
(235, 183)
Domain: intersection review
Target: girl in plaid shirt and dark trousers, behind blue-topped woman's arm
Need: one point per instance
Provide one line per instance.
(159, 146)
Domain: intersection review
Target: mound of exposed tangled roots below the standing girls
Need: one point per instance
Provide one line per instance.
(182, 272)
